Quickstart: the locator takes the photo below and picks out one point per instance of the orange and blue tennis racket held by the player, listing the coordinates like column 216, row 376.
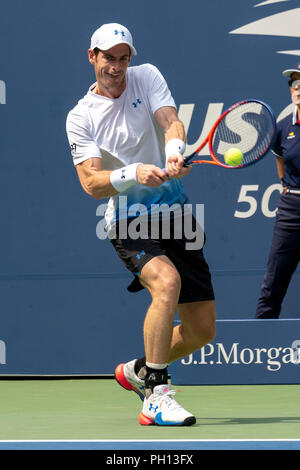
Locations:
column 248, row 126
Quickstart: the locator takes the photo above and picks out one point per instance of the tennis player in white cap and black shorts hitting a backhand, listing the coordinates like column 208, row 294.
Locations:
column 123, row 133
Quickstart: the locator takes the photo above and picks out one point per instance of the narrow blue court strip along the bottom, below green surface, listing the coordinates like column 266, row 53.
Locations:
column 218, row 444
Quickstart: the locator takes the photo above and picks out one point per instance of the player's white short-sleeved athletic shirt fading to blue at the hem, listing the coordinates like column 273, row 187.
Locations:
column 123, row 130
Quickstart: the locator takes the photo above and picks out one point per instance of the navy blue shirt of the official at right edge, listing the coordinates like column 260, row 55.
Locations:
column 287, row 146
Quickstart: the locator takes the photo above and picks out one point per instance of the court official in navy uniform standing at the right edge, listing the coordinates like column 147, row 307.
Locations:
column 285, row 248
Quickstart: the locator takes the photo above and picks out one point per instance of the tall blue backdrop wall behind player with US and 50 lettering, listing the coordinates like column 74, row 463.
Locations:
column 63, row 290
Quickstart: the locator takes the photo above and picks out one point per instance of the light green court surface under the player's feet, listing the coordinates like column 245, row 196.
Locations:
column 100, row 409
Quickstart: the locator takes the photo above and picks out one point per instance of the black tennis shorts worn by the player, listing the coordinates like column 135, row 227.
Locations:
column 179, row 247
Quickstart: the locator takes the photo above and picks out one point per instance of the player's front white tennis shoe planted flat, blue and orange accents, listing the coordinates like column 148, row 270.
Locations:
column 162, row 409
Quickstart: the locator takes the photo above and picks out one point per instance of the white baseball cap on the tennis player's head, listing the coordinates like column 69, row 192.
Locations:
column 111, row 34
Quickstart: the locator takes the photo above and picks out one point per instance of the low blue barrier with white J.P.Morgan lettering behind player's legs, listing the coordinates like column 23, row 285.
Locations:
column 245, row 352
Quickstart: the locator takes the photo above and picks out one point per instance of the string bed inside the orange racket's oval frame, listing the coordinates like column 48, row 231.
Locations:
column 248, row 127
